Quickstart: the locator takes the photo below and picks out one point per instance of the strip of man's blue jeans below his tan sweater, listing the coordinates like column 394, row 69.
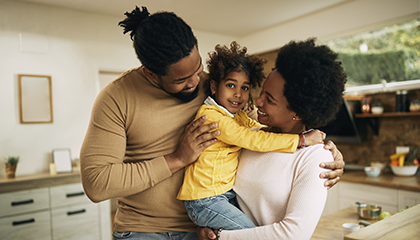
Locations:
column 155, row 236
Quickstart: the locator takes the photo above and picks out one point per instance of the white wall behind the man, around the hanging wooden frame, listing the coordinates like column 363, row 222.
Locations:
column 79, row 44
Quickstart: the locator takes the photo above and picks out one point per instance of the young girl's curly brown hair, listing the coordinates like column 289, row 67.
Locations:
column 225, row 60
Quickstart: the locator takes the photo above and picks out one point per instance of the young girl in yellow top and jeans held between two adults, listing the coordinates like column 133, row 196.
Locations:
column 207, row 187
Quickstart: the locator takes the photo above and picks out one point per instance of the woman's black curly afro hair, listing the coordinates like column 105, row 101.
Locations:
column 314, row 81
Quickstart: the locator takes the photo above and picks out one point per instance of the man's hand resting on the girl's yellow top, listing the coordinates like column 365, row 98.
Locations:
column 192, row 142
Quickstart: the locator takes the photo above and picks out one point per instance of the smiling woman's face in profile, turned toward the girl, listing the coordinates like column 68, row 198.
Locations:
column 272, row 106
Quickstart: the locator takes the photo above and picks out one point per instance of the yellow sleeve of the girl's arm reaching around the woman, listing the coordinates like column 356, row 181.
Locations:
column 234, row 134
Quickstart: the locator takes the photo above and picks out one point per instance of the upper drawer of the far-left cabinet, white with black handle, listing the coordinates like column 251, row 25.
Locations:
column 23, row 201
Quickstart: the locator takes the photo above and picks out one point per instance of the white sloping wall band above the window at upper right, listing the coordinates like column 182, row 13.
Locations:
column 341, row 20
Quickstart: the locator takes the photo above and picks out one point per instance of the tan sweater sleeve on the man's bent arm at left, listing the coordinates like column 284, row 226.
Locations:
column 106, row 171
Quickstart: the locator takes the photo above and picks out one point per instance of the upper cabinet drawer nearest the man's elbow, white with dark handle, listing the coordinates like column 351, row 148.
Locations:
column 67, row 194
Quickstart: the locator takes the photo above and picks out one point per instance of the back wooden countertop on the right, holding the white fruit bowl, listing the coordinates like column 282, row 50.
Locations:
column 388, row 180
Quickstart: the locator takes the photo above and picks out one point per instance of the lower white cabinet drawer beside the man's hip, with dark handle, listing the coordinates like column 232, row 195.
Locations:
column 80, row 221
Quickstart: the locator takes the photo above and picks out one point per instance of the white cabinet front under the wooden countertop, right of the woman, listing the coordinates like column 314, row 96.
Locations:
column 372, row 194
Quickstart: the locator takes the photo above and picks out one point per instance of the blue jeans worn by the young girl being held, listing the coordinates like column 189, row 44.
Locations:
column 217, row 212
